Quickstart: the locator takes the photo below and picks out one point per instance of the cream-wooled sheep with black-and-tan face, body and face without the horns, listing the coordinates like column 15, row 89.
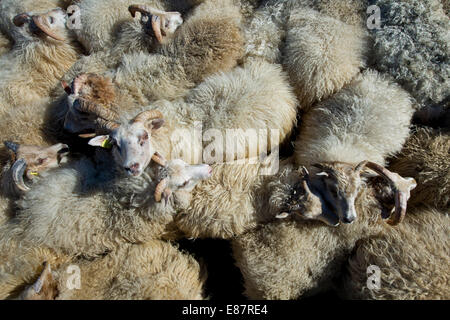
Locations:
column 356, row 124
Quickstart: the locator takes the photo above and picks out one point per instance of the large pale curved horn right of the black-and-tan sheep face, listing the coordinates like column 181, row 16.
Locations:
column 402, row 188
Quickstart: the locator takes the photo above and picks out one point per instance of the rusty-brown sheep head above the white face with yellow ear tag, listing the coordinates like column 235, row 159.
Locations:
column 91, row 105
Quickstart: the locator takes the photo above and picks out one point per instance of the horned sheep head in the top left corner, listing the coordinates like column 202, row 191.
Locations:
column 51, row 24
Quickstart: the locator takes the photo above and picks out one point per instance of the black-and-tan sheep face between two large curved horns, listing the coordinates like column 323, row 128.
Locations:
column 338, row 184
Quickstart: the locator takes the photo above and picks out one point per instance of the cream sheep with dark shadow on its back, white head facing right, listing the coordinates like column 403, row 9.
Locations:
column 105, row 208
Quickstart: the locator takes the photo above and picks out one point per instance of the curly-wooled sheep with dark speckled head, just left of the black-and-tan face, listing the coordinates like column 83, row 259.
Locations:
column 240, row 197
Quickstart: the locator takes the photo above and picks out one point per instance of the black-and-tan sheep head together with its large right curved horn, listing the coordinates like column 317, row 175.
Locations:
column 338, row 184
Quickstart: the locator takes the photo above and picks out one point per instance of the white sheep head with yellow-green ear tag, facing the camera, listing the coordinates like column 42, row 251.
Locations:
column 131, row 143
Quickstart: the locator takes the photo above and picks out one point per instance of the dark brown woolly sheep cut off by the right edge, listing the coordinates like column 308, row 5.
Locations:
column 425, row 157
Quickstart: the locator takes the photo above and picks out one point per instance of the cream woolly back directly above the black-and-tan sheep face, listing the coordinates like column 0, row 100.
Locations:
column 367, row 120
